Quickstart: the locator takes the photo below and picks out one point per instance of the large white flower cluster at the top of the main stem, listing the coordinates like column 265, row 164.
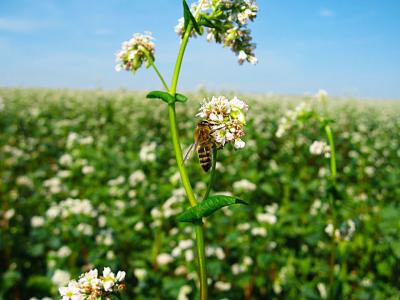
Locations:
column 230, row 19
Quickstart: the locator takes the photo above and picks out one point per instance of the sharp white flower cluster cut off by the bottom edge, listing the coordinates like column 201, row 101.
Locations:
column 91, row 286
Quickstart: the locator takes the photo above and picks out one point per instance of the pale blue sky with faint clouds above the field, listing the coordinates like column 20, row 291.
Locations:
column 348, row 47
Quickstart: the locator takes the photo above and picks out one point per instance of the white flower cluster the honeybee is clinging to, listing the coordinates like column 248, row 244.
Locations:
column 227, row 117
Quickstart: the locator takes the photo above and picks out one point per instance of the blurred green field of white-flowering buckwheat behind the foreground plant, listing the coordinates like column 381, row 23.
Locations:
column 88, row 181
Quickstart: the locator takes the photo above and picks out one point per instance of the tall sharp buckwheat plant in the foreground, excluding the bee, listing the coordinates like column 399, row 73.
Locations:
column 224, row 22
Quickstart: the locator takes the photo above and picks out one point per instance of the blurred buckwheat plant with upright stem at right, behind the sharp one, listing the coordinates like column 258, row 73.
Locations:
column 314, row 110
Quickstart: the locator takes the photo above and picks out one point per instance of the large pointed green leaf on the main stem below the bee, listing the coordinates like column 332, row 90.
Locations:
column 208, row 207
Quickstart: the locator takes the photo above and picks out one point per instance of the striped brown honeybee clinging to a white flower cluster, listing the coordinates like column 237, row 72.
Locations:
column 204, row 144
